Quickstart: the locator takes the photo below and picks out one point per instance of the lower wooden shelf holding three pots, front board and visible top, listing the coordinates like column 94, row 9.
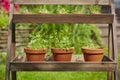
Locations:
column 77, row 64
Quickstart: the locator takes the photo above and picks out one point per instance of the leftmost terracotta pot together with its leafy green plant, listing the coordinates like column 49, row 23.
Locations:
column 36, row 49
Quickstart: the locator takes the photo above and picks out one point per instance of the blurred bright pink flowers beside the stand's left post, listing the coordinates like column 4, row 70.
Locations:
column 5, row 5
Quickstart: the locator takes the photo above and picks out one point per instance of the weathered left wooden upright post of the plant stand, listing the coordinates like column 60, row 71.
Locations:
column 11, row 41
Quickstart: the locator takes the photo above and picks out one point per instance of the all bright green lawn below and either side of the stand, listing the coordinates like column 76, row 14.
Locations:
column 54, row 75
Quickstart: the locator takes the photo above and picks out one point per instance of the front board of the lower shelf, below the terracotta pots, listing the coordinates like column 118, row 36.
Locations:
column 57, row 66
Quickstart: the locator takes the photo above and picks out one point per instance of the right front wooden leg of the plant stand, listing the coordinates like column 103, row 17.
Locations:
column 114, row 41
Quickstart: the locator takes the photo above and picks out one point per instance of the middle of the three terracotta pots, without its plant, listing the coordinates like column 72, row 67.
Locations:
column 62, row 54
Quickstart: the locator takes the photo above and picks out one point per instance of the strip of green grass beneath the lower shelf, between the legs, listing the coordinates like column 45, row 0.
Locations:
column 62, row 76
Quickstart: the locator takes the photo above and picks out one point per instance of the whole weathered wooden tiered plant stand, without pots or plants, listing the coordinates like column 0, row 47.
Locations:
column 18, row 63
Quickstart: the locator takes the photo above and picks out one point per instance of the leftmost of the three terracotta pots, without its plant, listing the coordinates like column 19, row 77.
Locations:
column 35, row 55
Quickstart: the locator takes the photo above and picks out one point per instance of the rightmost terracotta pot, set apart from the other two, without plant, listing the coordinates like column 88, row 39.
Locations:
column 93, row 54
